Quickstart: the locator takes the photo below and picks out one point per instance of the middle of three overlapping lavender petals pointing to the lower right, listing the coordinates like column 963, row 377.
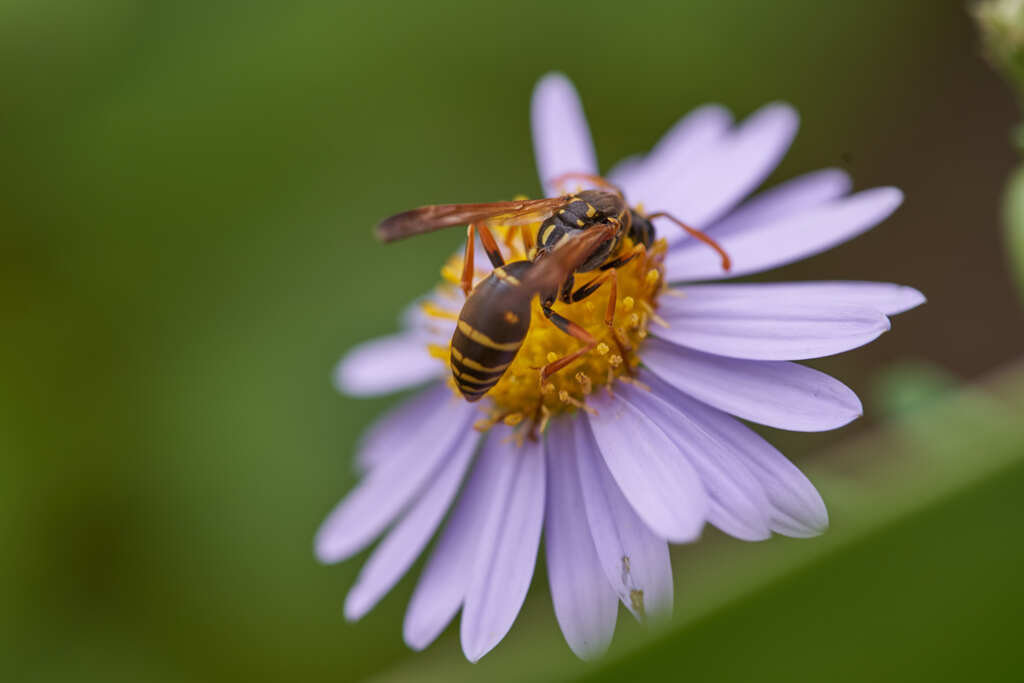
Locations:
column 738, row 502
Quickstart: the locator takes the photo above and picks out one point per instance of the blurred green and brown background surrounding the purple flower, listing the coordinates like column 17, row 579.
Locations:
column 187, row 194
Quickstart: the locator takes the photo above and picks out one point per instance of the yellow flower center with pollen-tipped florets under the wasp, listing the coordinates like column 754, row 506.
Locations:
column 520, row 397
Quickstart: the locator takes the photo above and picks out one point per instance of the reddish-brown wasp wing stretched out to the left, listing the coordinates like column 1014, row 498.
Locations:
column 429, row 219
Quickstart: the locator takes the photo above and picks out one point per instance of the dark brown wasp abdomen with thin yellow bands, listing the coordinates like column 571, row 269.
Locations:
column 492, row 327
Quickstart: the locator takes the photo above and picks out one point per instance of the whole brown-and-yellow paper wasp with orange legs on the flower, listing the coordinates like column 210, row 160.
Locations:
column 579, row 233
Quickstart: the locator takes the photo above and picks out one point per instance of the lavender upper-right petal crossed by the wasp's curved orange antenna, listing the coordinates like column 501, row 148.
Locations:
column 785, row 240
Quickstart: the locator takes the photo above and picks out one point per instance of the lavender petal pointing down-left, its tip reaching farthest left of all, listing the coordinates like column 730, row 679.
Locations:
column 381, row 496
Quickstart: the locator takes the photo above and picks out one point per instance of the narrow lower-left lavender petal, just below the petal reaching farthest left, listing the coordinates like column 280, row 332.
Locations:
column 392, row 560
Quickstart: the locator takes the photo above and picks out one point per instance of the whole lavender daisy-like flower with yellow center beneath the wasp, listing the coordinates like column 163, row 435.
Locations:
column 642, row 448
